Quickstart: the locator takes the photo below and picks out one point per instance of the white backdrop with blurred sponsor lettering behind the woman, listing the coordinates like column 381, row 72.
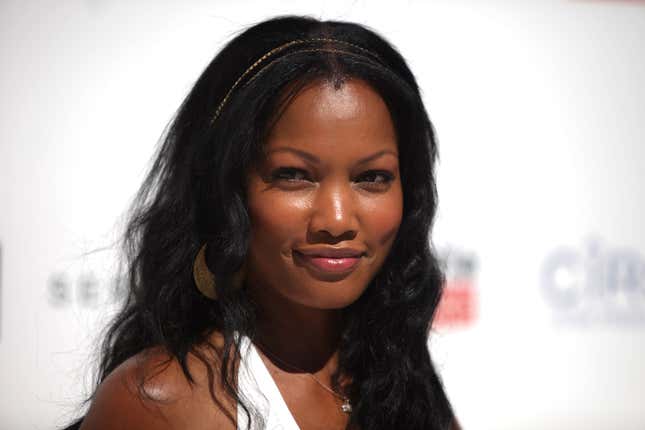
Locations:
column 540, row 112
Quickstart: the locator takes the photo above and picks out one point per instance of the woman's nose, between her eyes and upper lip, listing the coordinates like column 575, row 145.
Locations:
column 334, row 214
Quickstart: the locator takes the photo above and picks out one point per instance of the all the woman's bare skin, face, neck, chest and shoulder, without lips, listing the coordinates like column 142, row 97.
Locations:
column 330, row 178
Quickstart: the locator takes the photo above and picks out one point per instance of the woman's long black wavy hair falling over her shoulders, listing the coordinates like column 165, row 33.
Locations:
column 194, row 194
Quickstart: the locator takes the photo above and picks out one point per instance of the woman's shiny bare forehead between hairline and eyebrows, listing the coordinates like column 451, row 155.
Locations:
column 347, row 120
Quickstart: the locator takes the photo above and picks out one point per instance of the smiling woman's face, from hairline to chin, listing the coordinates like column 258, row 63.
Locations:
column 326, row 203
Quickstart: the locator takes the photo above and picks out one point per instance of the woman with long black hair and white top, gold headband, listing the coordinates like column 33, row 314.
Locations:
column 280, row 274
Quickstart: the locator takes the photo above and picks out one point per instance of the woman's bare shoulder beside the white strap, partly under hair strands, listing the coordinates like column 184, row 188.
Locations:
column 151, row 391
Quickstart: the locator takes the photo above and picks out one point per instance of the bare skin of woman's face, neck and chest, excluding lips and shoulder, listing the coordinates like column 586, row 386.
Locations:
column 331, row 178
